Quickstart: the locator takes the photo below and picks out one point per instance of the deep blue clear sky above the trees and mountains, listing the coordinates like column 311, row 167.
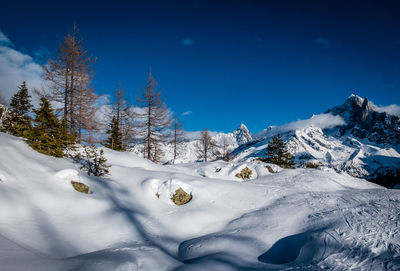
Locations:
column 220, row 63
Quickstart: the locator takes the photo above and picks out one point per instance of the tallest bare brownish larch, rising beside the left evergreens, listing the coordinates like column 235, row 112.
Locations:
column 69, row 75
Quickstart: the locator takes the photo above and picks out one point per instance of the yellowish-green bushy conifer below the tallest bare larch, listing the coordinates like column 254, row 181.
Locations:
column 44, row 136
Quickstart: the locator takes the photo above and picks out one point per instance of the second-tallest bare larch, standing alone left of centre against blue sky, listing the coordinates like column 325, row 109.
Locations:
column 153, row 120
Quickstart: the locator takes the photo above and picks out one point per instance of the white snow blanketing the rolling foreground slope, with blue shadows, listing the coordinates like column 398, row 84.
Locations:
column 293, row 219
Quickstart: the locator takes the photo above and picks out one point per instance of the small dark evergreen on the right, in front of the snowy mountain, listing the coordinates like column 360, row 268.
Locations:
column 277, row 153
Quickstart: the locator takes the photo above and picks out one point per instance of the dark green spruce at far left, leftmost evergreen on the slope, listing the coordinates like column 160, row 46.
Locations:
column 18, row 121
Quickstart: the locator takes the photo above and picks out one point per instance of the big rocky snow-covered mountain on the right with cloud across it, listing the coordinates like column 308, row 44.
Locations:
column 352, row 137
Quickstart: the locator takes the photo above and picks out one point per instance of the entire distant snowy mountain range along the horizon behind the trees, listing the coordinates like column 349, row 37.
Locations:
column 354, row 138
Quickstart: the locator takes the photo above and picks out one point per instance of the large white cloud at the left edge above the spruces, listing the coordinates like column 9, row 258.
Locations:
column 16, row 67
